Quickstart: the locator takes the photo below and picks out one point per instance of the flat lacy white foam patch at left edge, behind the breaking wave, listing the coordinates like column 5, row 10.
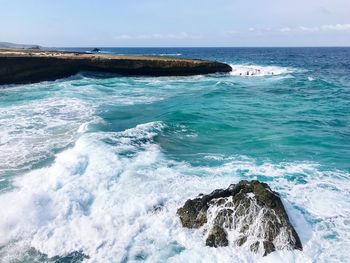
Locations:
column 32, row 130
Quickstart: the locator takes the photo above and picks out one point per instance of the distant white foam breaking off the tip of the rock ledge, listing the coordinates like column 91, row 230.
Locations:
column 258, row 71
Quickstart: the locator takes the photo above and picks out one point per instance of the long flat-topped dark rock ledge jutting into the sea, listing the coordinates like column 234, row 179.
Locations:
column 27, row 66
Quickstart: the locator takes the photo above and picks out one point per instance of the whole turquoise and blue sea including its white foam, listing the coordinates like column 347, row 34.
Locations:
column 84, row 161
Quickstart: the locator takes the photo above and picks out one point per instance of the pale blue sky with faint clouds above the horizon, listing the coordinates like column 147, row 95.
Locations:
column 176, row 23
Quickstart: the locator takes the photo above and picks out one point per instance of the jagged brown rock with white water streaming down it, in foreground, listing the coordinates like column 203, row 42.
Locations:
column 249, row 210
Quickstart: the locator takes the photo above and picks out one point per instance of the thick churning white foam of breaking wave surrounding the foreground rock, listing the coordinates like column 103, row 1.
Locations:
column 115, row 195
